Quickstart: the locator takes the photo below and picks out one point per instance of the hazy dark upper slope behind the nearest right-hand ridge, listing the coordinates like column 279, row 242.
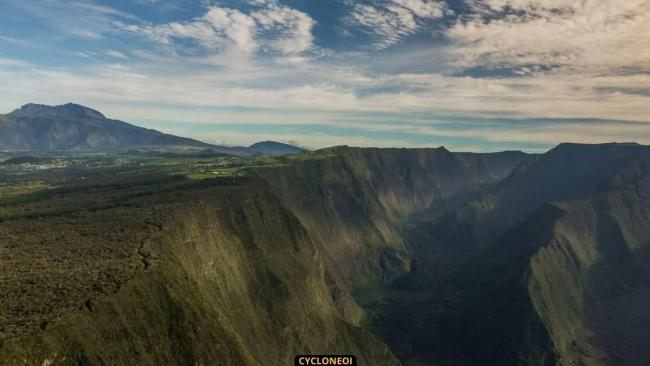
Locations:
column 567, row 172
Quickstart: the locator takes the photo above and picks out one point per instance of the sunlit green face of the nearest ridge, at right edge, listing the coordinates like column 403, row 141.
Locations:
column 591, row 283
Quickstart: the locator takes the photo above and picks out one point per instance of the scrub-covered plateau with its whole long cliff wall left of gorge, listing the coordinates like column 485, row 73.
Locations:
column 232, row 272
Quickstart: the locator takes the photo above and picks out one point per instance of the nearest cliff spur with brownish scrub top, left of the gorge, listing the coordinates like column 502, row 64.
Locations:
column 221, row 274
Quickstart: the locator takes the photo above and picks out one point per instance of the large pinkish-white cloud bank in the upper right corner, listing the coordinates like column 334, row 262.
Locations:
column 584, row 36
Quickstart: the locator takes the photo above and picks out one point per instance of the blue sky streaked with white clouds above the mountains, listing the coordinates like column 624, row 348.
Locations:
column 471, row 75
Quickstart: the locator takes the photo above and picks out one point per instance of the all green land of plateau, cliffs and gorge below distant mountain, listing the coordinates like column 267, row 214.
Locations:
column 421, row 255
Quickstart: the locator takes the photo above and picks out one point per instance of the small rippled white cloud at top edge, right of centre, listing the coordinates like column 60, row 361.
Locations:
column 391, row 20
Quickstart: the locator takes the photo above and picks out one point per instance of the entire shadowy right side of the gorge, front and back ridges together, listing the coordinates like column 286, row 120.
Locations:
column 553, row 261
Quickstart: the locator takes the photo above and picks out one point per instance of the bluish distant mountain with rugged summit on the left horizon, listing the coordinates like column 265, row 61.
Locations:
column 36, row 127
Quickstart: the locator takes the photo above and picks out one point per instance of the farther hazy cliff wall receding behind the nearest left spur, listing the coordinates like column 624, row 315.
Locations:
column 356, row 202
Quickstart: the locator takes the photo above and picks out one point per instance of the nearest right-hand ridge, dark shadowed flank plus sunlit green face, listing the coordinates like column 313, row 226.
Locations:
column 579, row 268
